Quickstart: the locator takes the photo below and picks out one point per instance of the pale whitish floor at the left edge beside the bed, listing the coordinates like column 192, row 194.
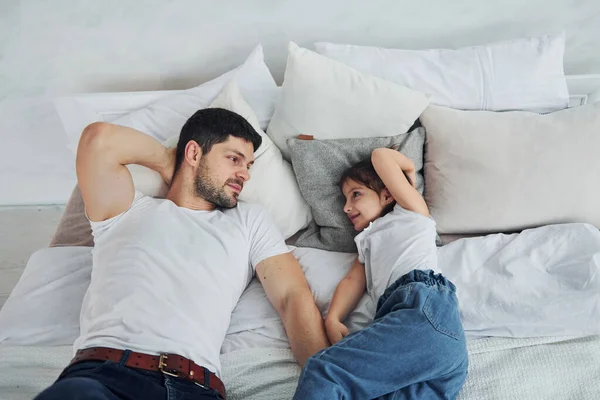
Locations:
column 23, row 230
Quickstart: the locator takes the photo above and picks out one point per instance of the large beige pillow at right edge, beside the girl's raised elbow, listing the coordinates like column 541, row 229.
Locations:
column 497, row 172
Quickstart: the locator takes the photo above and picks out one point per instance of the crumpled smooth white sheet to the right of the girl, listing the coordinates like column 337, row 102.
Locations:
column 540, row 282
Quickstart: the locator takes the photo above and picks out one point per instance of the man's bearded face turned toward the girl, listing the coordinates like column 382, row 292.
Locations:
column 223, row 171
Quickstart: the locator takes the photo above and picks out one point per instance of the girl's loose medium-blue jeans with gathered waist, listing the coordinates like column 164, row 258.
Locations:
column 414, row 349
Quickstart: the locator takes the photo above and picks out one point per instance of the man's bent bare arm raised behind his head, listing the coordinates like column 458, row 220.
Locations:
column 104, row 151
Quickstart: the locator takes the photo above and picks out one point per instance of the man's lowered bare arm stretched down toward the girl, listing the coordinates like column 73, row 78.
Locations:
column 288, row 291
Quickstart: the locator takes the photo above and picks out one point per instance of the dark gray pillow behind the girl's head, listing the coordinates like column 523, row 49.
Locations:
column 319, row 164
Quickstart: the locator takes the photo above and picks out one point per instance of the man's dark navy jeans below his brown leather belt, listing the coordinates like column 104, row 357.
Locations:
column 107, row 380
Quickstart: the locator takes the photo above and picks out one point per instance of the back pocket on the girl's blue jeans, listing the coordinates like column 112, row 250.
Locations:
column 441, row 309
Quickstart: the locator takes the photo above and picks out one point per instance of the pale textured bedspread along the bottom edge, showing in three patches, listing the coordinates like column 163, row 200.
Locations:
column 542, row 368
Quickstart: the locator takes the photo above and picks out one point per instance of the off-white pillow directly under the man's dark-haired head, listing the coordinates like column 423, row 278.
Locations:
column 272, row 184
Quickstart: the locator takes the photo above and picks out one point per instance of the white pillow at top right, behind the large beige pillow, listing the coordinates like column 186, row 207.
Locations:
column 524, row 74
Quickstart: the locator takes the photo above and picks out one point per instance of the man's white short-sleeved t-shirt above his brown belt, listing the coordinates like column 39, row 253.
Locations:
column 165, row 279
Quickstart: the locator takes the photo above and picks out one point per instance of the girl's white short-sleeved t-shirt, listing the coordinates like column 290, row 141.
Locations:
column 394, row 245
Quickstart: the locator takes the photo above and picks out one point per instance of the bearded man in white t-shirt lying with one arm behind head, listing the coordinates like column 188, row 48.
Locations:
column 168, row 273
